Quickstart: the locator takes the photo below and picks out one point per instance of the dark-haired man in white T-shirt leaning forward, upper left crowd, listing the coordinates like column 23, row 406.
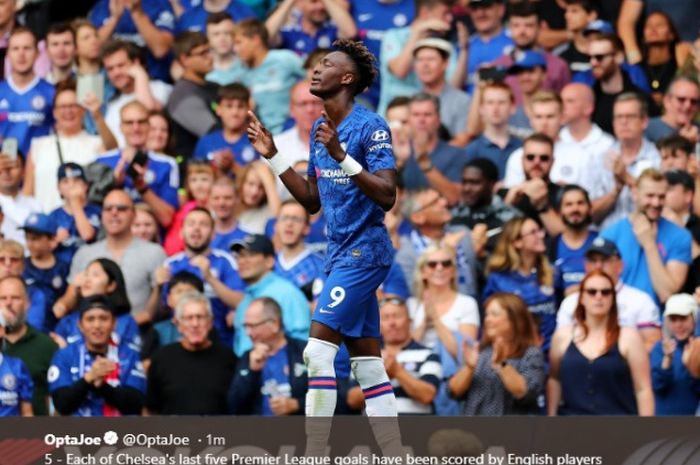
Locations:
column 131, row 81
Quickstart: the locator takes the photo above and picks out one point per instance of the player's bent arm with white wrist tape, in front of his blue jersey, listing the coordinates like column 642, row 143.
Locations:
column 379, row 186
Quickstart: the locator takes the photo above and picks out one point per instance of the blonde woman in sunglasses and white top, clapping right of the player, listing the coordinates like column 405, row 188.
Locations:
column 438, row 310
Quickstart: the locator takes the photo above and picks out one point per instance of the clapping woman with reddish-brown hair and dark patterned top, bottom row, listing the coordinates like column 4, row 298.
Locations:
column 504, row 373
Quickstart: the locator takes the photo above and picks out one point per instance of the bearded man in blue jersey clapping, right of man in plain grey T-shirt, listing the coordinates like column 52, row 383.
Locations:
column 222, row 284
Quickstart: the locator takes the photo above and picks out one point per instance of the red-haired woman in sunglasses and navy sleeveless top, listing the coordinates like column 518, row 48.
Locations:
column 596, row 366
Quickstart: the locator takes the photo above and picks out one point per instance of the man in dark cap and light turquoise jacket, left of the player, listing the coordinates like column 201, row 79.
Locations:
column 256, row 259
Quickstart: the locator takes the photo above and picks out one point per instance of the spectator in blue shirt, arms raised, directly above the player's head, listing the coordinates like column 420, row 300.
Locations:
column 304, row 25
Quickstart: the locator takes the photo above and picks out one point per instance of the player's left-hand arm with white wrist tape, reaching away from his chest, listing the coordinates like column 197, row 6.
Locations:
column 305, row 191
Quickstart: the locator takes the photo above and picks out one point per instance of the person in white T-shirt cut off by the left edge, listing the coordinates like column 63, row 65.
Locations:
column 16, row 207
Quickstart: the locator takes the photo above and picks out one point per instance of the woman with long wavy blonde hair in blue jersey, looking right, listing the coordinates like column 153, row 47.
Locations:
column 519, row 264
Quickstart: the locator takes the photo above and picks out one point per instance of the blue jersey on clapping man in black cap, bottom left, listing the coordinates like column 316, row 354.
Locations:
column 72, row 362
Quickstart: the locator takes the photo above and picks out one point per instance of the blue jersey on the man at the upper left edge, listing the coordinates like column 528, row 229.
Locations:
column 26, row 113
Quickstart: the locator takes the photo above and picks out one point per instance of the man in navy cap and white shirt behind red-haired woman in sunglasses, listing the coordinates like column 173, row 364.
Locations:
column 635, row 309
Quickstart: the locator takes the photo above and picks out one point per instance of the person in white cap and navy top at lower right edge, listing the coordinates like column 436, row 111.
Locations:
column 676, row 391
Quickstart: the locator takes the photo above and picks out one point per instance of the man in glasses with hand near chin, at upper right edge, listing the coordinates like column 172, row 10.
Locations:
column 681, row 104
